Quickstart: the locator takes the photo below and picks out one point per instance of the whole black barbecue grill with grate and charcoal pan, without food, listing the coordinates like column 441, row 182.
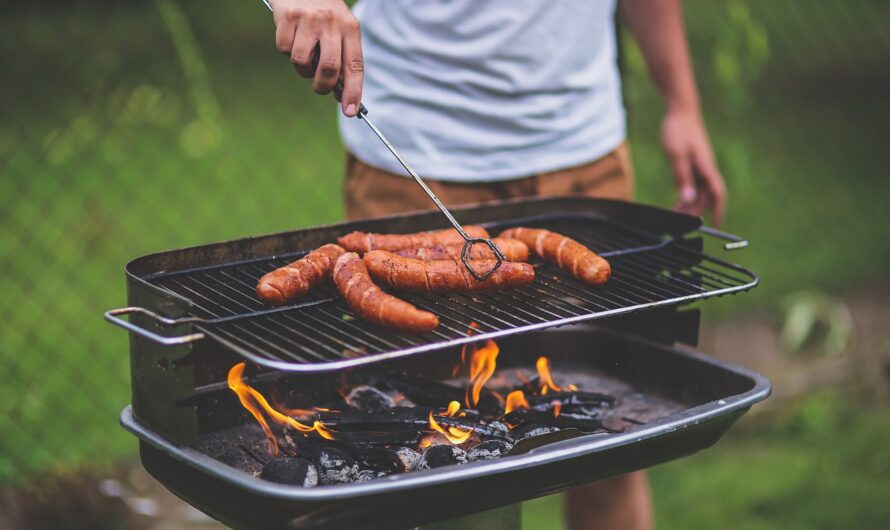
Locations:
column 194, row 313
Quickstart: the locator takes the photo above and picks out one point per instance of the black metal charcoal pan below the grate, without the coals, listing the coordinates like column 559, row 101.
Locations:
column 713, row 394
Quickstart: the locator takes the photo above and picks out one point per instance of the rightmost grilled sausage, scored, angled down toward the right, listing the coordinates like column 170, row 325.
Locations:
column 568, row 254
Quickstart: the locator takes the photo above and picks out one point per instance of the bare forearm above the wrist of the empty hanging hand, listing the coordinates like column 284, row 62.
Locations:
column 658, row 28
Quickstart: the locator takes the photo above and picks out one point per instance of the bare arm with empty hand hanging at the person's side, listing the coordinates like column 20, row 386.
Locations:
column 658, row 28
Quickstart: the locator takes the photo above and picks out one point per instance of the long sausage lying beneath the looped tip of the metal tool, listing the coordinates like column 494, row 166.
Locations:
column 444, row 275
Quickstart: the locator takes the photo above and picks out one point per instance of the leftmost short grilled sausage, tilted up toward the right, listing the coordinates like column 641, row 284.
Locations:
column 295, row 279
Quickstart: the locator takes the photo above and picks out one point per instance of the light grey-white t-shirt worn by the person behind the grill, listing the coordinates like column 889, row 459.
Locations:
column 487, row 90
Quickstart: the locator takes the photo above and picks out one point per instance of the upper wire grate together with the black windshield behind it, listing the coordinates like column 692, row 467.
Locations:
column 653, row 265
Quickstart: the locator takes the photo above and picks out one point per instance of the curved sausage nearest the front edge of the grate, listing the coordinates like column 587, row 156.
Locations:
column 370, row 303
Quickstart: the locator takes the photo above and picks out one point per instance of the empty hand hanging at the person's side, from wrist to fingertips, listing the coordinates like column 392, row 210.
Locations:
column 700, row 187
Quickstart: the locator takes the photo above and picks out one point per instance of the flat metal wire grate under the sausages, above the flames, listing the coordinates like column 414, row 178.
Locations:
column 319, row 332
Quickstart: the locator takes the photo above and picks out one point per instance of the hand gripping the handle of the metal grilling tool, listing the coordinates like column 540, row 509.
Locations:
column 303, row 24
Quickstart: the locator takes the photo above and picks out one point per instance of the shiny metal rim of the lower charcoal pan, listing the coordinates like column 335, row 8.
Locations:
column 551, row 453
